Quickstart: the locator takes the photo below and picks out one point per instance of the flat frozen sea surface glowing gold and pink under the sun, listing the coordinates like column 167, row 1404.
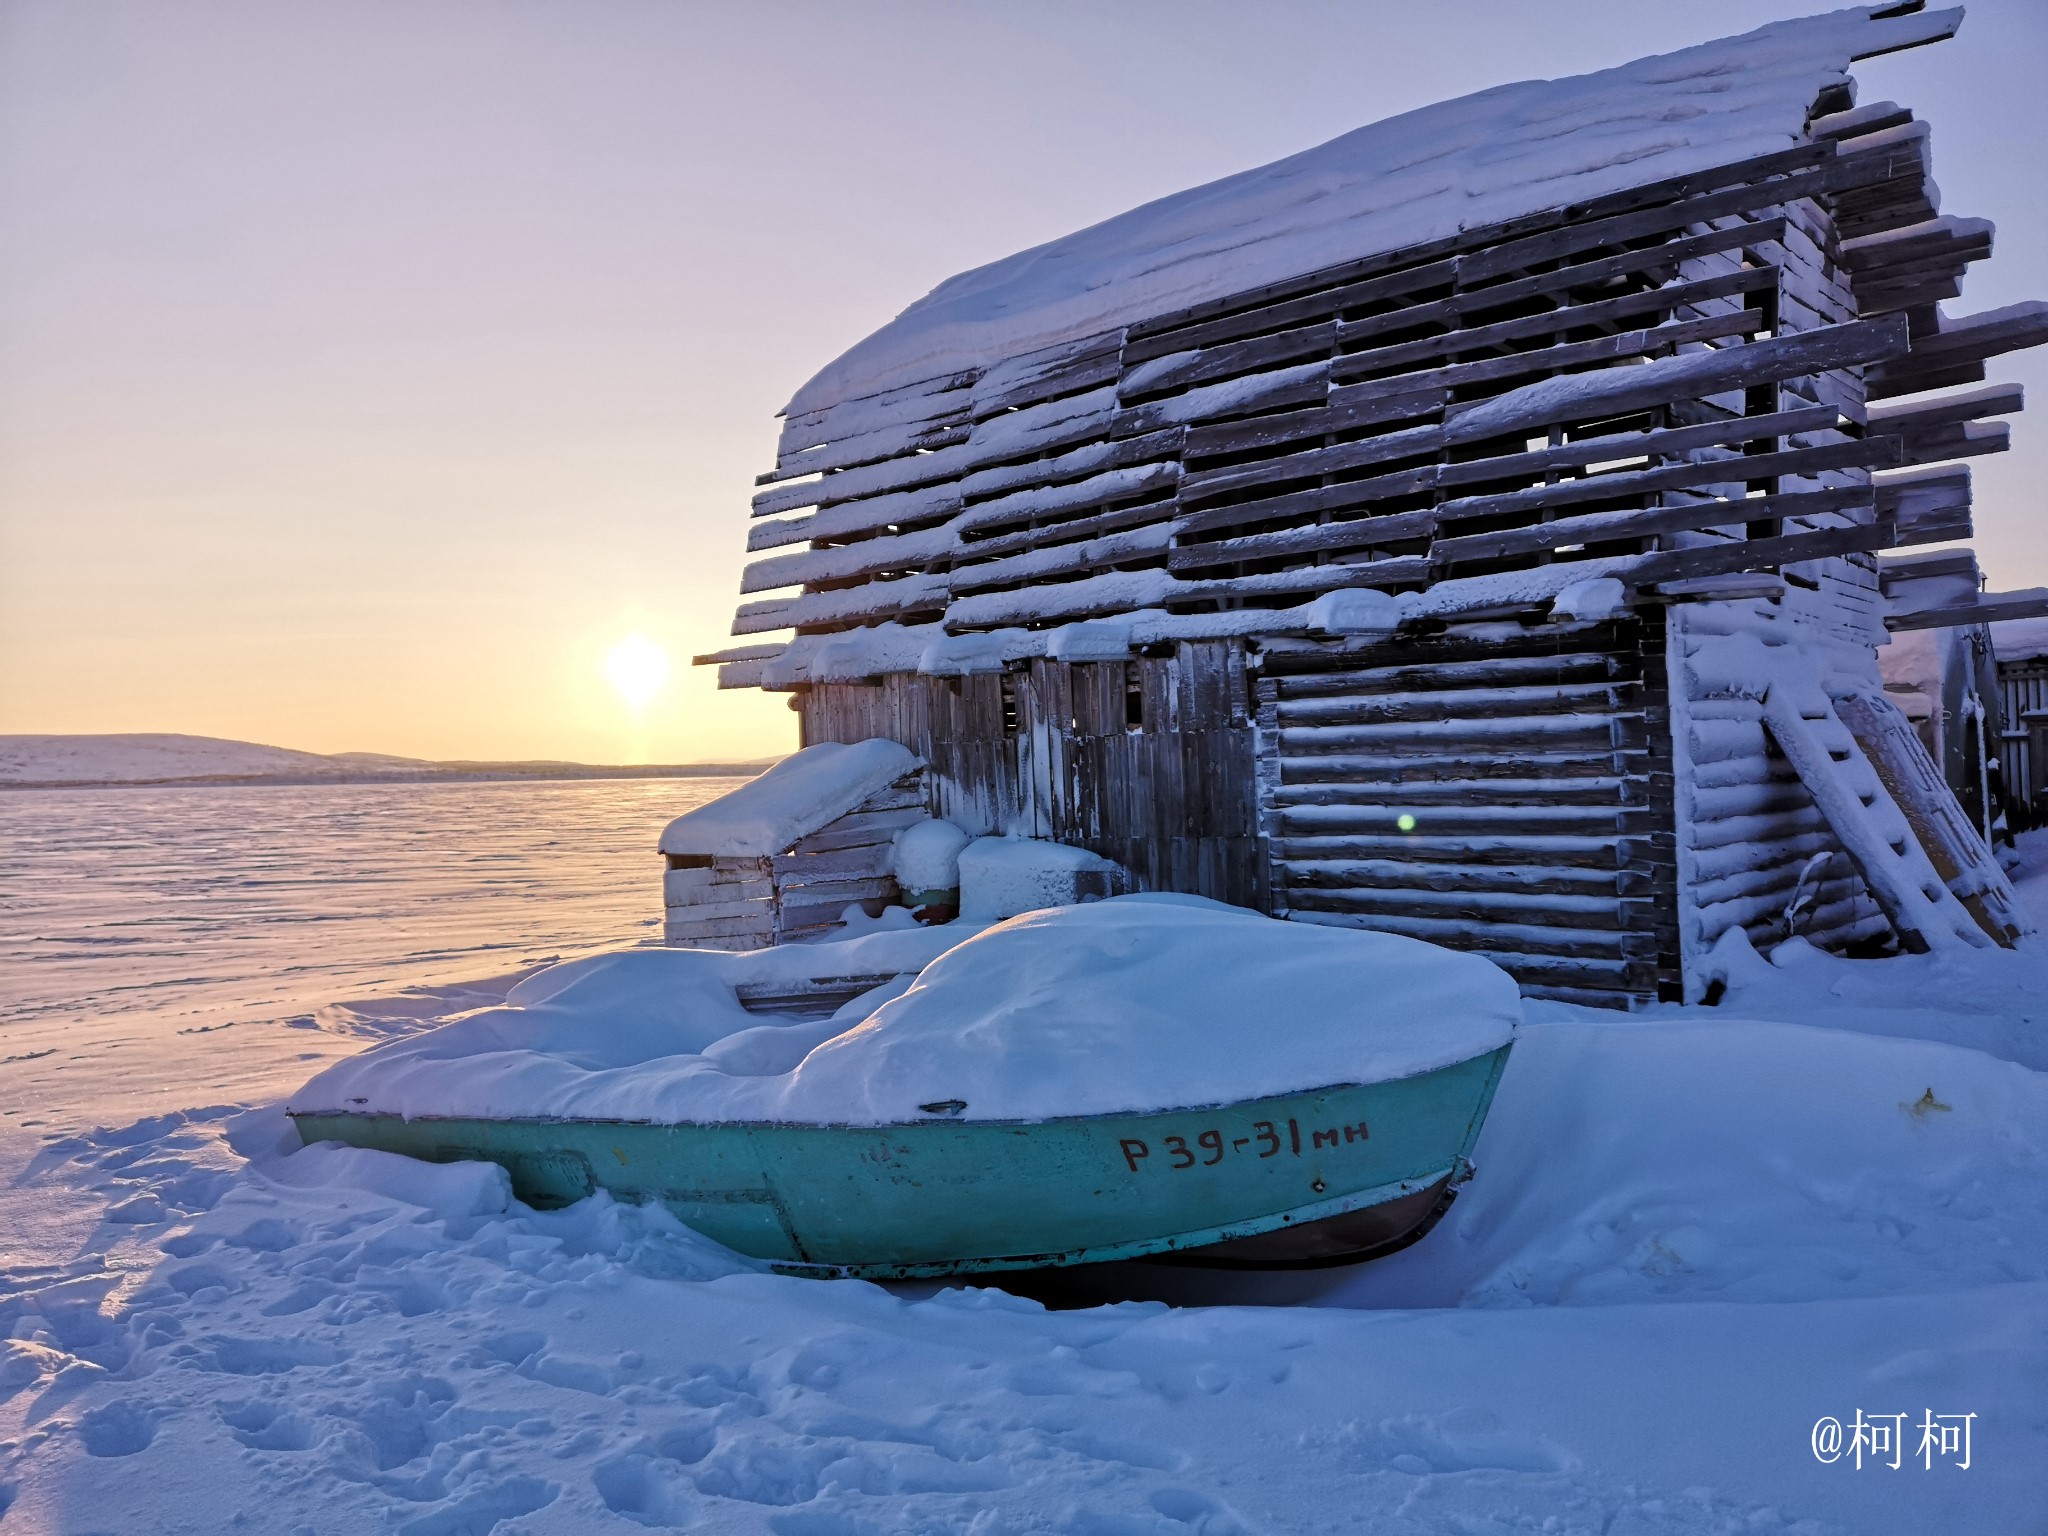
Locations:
column 210, row 906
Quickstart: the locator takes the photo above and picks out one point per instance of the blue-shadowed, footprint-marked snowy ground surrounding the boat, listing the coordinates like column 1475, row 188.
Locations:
column 1695, row 1234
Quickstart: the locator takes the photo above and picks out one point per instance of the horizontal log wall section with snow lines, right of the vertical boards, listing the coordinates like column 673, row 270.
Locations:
column 1496, row 790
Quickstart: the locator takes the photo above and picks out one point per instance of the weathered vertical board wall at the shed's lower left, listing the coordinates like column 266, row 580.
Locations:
column 1146, row 763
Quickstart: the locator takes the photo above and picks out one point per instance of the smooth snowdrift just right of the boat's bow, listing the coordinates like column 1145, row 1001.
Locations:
column 1738, row 1160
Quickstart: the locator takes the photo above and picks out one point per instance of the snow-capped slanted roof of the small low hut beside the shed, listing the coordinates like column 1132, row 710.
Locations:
column 790, row 802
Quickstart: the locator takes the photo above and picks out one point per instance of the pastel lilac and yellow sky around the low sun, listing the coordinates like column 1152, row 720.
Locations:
column 370, row 372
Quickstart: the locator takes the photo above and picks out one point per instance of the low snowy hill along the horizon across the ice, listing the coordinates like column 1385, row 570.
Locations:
column 157, row 759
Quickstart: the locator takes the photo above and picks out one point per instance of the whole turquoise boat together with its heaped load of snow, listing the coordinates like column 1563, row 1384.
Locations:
column 1146, row 1076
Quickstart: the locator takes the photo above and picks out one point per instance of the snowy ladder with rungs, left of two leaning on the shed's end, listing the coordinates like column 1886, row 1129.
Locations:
column 1863, row 814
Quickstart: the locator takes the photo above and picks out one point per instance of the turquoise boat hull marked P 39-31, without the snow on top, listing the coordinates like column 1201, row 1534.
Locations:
column 1324, row 1177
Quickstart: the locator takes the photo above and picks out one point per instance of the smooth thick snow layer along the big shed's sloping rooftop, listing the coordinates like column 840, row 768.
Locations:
column 1469, row 163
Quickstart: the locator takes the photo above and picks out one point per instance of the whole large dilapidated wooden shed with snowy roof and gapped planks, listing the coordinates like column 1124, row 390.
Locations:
column 1467, row 527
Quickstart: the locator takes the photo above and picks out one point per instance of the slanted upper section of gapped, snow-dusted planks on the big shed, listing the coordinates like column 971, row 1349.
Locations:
column 1392, row 425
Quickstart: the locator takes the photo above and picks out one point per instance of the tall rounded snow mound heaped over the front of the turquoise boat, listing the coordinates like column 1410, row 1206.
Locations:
column 1156, row 1002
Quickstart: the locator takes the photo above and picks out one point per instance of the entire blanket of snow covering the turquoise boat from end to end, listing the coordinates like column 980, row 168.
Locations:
column 1119, row 1007
